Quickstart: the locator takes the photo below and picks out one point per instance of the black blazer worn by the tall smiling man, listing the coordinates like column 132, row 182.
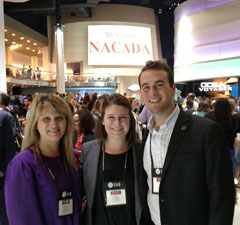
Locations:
column 197, row 183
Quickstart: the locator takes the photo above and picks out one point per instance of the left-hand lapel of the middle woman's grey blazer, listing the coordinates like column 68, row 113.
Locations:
column 94, row 155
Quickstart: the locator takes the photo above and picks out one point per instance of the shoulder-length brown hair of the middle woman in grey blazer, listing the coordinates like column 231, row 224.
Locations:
column 117, row 99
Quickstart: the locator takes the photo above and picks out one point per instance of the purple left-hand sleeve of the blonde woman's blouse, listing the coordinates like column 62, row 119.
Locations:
column 22, row 200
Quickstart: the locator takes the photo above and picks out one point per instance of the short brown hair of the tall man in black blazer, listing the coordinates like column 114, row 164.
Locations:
column 157, row 65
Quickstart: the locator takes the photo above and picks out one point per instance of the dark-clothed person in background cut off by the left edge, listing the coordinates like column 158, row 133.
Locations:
column 7, row 152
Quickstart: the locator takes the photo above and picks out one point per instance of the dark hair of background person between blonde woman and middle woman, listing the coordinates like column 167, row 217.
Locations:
column 87, row 122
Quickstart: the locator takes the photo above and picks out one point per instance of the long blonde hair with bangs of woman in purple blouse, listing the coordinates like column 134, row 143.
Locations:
column 31, row 135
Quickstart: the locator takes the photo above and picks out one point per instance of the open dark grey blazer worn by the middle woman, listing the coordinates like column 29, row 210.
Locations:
column 90, row 157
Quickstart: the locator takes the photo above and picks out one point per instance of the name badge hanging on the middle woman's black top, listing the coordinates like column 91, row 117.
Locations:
column 115, row 193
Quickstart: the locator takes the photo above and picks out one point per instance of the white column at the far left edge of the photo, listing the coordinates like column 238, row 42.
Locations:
column 3, row 79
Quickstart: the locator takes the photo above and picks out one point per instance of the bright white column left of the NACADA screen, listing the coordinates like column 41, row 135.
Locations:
column 59, row 59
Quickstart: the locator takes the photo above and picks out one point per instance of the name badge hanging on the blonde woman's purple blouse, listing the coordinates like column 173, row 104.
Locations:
column 65, row 203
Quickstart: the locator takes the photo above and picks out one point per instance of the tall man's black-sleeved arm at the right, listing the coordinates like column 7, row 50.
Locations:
column 219, row 177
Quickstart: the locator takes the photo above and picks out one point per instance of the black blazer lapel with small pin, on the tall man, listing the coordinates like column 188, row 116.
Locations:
column 181, row 127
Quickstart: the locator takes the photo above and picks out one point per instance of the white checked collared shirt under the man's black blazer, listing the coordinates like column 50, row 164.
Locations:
column 159, row 146
